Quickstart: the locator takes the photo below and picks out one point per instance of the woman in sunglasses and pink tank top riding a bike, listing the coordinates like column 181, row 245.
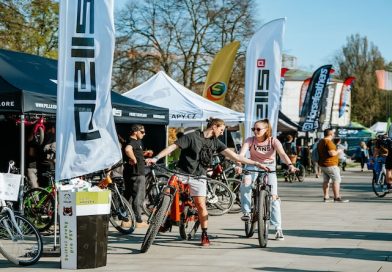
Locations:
column 262, row 148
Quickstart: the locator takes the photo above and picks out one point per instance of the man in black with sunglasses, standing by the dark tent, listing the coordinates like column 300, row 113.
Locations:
column 134, row 179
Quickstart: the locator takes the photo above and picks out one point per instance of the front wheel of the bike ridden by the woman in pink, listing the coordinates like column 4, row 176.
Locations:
column 263, row 218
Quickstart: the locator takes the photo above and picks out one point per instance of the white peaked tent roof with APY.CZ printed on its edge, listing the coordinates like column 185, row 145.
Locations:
column 186, row 108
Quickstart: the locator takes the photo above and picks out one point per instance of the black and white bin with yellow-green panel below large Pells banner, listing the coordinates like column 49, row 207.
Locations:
column 84, row 219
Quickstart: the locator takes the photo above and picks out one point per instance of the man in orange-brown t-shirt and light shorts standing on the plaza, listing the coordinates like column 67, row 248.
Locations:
column 328, row 161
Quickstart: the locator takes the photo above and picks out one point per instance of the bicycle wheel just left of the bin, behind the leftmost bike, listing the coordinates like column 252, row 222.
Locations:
column 39, row 207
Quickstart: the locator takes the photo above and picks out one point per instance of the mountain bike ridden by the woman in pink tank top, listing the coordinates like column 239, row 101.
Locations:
column 261, row 207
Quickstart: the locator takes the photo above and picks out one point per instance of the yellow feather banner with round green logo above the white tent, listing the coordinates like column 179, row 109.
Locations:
column 218, row 76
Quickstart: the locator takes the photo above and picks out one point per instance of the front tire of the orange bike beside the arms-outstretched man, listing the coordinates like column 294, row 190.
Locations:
column 156, row 222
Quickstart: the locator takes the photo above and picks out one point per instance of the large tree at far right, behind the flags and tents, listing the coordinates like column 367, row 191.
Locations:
column 361, row 59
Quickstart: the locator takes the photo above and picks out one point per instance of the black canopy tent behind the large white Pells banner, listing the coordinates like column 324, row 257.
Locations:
column 28, row 86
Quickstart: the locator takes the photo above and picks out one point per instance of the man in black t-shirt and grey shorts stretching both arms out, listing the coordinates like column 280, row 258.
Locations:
column 197, row 149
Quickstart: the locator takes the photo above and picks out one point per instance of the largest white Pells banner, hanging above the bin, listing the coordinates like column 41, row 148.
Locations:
column 86, row 137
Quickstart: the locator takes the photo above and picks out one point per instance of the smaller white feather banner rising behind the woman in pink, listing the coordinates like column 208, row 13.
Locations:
column 262, row 75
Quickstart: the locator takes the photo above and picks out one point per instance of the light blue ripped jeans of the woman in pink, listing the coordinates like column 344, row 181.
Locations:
column 246, row 195
